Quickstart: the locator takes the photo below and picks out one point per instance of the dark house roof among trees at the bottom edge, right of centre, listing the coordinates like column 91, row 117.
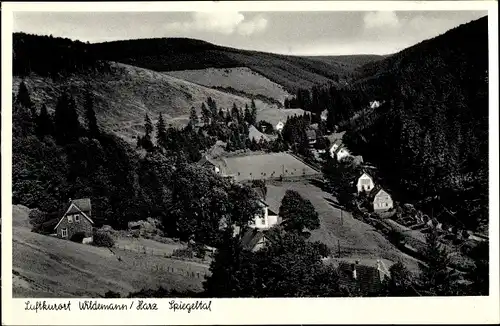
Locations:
column 367, row 280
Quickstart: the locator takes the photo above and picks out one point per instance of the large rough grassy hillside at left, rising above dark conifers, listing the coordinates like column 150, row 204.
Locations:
column 124, row 96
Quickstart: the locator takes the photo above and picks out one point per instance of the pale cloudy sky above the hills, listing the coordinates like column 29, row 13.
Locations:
column 299, row 33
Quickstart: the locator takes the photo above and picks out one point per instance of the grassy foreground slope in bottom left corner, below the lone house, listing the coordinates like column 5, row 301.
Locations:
column 49, row 267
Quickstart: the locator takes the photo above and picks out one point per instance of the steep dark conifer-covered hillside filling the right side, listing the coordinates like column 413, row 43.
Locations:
column 429, row 138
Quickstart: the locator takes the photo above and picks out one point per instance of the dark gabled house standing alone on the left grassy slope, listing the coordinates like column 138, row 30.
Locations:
column 76, row 220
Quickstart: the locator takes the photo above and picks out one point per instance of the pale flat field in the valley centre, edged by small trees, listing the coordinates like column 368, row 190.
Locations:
column 264, row 166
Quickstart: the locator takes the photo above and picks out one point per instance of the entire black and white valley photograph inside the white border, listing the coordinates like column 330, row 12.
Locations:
column 250, row 154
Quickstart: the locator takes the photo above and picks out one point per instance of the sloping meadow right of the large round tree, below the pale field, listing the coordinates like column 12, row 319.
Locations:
column 357, row 240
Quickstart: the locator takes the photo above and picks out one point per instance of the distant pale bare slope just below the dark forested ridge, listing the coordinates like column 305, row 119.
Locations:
column 241, row 79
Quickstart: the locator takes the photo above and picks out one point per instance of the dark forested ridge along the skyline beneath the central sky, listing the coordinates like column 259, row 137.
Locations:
column 173, row 54
